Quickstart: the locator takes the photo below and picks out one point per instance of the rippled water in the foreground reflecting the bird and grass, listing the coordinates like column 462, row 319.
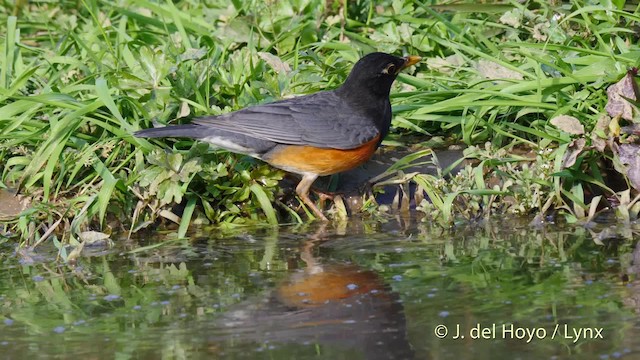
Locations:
column 361, row 290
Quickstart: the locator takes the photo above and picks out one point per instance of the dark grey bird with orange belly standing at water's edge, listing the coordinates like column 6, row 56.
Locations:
column 313, row 135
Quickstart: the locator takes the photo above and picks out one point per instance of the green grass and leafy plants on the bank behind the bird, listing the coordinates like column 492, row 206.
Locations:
column 77, row 78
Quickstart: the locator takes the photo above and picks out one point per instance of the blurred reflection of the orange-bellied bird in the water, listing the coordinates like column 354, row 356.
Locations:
column 338, row 307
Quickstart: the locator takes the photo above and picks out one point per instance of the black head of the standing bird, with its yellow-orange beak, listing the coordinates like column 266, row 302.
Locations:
column 374, row 73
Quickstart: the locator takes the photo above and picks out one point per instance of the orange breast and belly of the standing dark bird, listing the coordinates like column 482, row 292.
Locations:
column 301, row 159
